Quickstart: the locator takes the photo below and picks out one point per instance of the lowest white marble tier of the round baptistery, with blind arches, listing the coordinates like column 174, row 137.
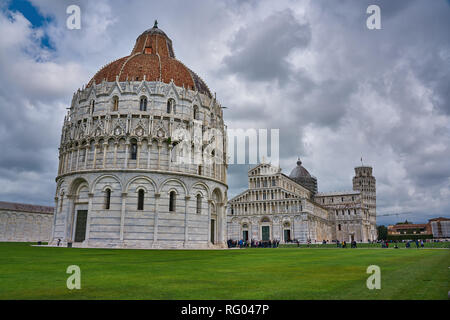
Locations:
column 123, row 225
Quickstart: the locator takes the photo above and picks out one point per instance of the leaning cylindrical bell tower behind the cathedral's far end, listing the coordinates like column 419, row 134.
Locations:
column 365, row 182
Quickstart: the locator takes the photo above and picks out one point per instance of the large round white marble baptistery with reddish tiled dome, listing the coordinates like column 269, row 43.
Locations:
column 142, row 157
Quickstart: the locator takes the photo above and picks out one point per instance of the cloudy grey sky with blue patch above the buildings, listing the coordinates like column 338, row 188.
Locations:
column 336, row 90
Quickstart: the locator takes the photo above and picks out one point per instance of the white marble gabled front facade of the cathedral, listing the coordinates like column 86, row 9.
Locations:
column 276, row 208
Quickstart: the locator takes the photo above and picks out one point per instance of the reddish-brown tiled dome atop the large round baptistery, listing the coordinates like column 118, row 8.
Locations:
column 152, row 59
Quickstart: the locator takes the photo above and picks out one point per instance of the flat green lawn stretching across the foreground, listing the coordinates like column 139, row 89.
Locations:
column 284, row 273
